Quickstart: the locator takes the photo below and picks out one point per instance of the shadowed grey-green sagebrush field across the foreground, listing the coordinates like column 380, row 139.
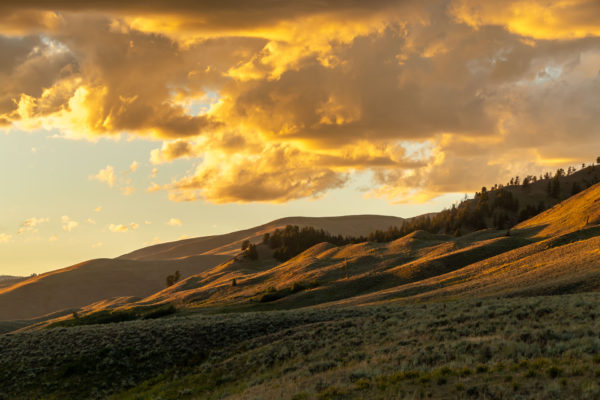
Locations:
column 534, row 347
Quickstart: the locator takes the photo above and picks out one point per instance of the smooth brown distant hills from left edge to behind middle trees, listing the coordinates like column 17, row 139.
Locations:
column 144, row 272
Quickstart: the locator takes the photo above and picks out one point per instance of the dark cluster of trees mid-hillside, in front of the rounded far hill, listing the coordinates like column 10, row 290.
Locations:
column 293, row 240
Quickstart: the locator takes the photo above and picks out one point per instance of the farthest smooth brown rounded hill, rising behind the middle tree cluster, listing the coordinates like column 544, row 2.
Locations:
column 352, row 225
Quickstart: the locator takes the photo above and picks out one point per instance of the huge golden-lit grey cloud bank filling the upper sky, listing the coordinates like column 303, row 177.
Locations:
column 276, row 101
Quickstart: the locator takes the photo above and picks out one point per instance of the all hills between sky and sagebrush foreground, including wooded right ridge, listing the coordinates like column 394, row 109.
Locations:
column 455, row 252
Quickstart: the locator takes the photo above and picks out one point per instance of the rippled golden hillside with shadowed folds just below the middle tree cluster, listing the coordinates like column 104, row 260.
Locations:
column 326, row 272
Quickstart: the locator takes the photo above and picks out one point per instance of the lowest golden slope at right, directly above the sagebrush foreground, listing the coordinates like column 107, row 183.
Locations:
column 563, row 264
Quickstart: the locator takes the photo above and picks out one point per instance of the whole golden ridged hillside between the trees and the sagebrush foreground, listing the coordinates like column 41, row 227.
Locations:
column 423, row 265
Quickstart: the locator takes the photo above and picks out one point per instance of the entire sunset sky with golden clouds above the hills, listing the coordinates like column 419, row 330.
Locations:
column 128, row 123
